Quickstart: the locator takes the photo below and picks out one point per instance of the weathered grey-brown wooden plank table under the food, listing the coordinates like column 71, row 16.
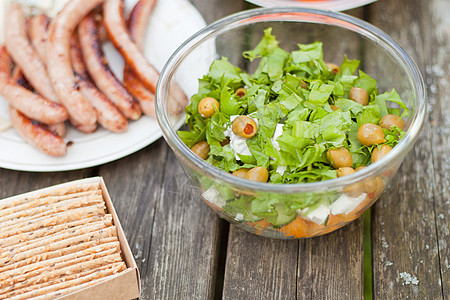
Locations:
column 184, row 251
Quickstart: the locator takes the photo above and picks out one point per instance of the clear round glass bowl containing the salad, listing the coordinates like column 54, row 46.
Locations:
column 320, row 207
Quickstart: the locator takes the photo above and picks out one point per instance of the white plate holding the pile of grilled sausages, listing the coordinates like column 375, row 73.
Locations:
column 172, row 22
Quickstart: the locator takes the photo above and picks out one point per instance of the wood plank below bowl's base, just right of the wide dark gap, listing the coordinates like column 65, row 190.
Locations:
column 259, row 268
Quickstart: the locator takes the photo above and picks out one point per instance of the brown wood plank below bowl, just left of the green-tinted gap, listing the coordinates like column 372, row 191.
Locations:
column 331, row 266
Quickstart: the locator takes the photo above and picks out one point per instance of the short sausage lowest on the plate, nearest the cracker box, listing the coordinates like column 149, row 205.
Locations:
column 36, row 134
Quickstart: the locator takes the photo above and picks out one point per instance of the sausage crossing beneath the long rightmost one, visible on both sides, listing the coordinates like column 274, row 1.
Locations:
column 137, row 27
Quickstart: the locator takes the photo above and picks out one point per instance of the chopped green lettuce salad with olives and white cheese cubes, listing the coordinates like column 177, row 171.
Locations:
column 296, row 119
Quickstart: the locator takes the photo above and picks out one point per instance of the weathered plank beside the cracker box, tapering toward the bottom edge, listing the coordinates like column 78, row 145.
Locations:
column 134, row 184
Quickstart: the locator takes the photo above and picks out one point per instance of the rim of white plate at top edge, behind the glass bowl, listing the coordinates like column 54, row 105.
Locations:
column 334, row 5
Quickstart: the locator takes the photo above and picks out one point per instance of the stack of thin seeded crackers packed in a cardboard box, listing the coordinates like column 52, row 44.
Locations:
column 57, row 242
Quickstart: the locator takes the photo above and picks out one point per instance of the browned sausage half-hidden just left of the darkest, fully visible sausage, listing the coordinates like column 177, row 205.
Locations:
column 108, row 114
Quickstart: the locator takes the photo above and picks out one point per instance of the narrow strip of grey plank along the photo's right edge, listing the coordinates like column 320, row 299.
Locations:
column 437, row 72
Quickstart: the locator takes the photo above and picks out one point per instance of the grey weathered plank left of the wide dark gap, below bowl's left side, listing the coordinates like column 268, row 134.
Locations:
column 184, row 241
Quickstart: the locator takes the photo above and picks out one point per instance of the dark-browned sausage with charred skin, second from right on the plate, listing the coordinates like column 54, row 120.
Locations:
column 100, row 72
